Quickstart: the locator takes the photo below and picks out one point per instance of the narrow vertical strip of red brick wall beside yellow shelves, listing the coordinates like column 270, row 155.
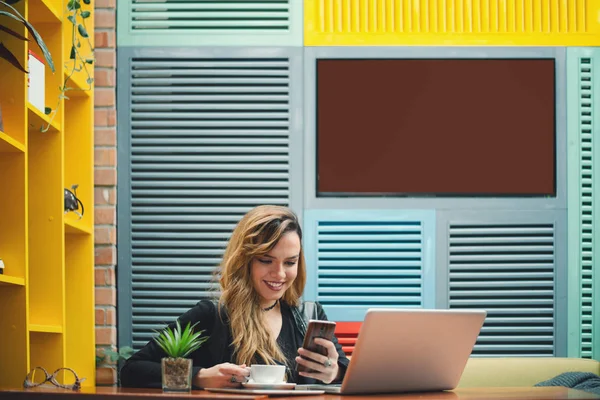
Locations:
column 105, row 181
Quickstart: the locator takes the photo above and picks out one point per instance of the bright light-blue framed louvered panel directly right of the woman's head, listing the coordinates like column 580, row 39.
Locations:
column 360, row 259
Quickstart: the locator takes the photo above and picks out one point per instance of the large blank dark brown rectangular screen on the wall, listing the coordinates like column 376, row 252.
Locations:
column 446, row 127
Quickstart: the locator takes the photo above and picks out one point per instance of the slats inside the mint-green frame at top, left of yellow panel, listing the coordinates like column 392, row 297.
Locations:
column 202, row 16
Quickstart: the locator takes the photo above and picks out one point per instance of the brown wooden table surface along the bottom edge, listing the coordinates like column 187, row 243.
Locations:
column 111, row 393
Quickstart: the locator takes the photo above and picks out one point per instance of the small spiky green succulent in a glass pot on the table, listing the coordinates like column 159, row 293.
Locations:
column 176, row 368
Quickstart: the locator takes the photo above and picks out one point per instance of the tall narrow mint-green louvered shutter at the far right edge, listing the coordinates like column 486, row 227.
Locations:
column 583, row 107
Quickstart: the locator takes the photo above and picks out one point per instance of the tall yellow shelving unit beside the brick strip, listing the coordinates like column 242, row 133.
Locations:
column 47, row 289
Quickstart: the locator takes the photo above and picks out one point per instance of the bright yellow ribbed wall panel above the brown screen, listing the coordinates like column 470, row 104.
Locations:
column 452, row 22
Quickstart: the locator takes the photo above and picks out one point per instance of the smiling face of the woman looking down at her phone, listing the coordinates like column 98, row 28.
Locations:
column 274, row 272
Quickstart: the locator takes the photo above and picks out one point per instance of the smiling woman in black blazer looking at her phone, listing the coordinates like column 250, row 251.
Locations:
column 255, row 320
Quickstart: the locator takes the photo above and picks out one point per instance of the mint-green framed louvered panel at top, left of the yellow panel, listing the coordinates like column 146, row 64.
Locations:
column 209, row 22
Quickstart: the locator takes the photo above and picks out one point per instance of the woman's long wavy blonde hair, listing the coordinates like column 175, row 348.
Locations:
column 257, row 233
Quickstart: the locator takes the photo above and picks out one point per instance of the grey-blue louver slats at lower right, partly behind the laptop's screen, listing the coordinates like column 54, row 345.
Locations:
column 508, row 270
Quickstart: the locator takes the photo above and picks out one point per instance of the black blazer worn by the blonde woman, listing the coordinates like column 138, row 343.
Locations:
column 143, row 369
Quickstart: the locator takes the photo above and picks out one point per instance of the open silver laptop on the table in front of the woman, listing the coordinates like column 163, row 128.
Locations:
column 409, row 350
